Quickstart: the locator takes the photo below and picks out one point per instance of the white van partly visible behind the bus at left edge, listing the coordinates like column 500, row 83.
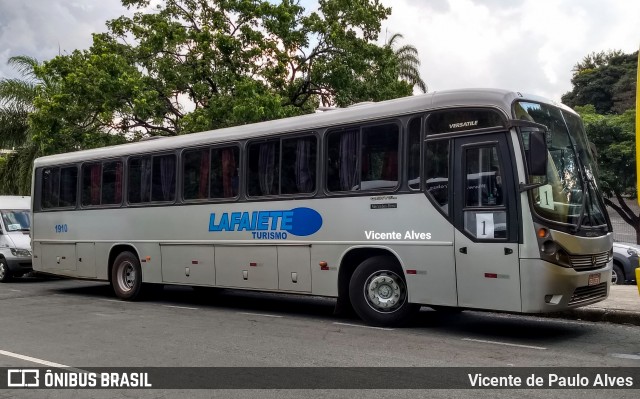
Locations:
column 15, row 242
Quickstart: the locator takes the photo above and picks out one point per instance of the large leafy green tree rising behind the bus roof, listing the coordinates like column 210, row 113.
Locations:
column 192, row 65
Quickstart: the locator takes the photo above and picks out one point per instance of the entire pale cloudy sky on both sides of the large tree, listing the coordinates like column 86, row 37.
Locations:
column 524, row 45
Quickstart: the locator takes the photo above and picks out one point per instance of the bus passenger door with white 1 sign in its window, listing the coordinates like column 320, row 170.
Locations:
column 486, row 222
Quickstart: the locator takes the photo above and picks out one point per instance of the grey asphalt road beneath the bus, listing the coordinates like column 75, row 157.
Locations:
column 81, row 324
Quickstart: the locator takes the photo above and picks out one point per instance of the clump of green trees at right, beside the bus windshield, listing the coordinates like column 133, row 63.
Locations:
column 604, row 94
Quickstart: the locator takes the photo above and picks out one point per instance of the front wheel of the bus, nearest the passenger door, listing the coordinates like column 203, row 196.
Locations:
column 378, row 292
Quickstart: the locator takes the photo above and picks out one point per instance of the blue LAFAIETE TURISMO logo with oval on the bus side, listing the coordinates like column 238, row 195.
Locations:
column 269, row 225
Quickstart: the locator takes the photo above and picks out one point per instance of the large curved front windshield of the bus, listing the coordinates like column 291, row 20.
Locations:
column 571, row 189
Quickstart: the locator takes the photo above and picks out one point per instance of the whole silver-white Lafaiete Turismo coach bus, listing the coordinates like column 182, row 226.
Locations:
column 484, row 199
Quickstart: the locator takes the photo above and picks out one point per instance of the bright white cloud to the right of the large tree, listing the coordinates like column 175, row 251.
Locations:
column 525, row 45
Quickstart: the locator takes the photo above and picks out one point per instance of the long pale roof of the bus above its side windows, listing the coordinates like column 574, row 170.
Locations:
column 501, row 99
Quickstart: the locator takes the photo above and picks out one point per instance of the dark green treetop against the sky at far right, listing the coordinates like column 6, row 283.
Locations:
column 606, row 81
